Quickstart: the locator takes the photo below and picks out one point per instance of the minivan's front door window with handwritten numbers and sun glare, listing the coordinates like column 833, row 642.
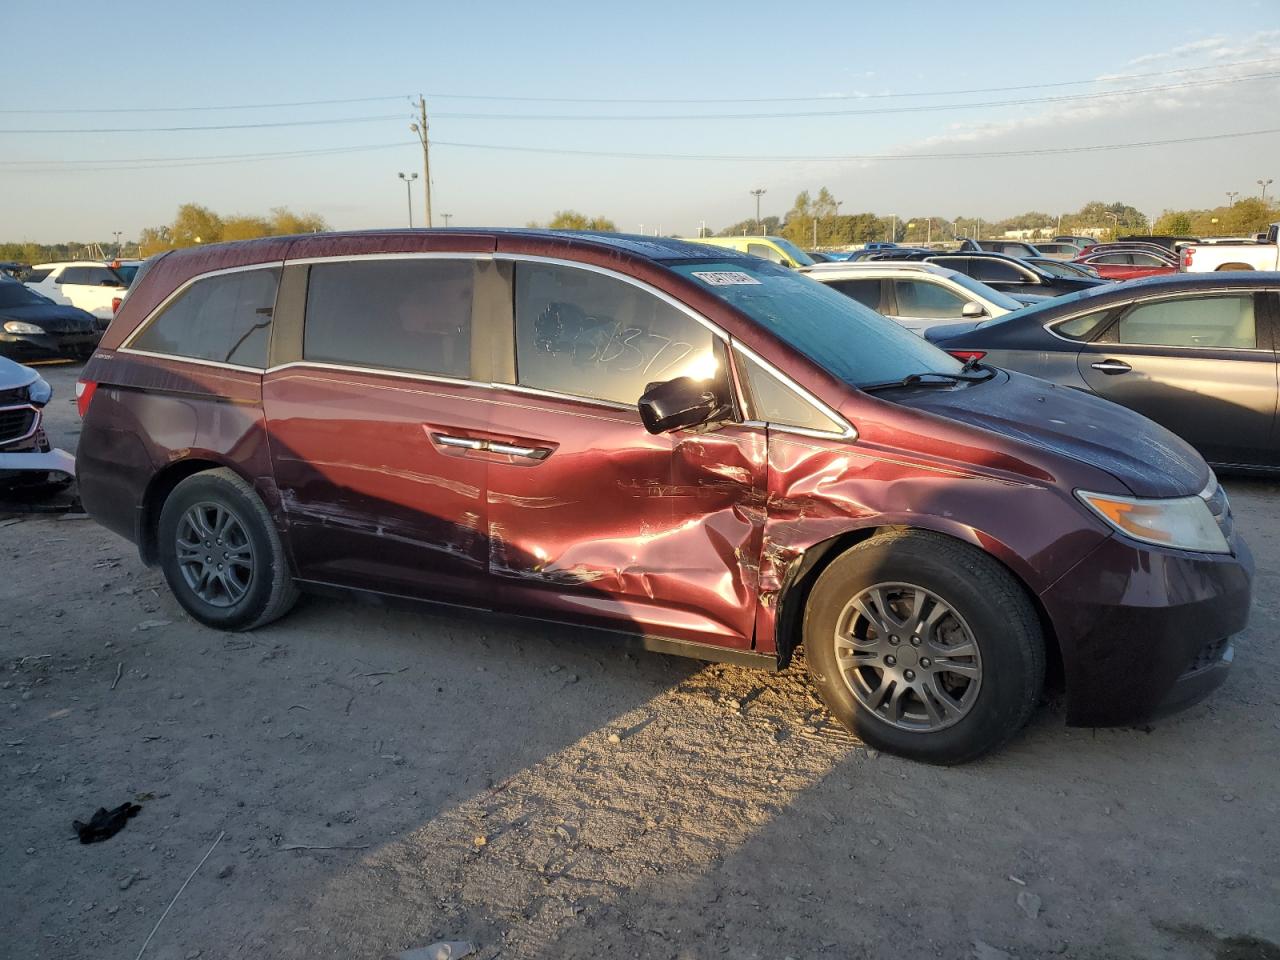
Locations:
column 587, row 335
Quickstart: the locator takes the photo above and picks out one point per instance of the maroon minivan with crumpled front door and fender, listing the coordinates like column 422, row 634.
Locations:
column 689, row 446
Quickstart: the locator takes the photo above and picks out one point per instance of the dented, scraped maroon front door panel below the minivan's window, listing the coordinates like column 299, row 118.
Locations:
column 657, row 536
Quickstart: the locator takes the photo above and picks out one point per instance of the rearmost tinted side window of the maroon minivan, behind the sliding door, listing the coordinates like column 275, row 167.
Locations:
column 225, row 319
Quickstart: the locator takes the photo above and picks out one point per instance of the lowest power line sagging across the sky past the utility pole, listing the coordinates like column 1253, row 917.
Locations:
column 161, row 163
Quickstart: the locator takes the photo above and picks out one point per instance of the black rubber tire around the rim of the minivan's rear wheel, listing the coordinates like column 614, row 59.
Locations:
column 268, row 587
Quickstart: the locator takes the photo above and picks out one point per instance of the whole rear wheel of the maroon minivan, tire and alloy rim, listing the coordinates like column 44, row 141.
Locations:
column 222, row 555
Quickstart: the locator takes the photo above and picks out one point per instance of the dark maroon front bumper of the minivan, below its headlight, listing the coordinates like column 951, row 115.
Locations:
column 1145, row 632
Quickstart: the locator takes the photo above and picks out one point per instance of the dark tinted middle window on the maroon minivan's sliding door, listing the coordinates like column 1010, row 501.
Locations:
column 409, row 314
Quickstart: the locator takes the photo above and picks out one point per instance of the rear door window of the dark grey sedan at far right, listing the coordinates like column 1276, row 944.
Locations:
column 1199, row 322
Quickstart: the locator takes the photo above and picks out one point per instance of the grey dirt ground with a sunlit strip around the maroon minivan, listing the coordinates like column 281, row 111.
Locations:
column 383, row 779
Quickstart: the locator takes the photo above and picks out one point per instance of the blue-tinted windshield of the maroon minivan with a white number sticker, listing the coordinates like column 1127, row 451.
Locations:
column 838, row 333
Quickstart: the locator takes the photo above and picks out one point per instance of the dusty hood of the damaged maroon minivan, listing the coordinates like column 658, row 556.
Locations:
column 1144, row 456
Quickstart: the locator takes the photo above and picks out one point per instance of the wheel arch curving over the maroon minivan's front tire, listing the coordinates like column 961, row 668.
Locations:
column 820, row 556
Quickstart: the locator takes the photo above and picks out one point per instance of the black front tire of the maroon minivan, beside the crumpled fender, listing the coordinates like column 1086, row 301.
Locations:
column 988, row 607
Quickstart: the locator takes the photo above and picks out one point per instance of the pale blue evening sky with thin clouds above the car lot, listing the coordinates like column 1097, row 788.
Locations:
column 515, row 89
